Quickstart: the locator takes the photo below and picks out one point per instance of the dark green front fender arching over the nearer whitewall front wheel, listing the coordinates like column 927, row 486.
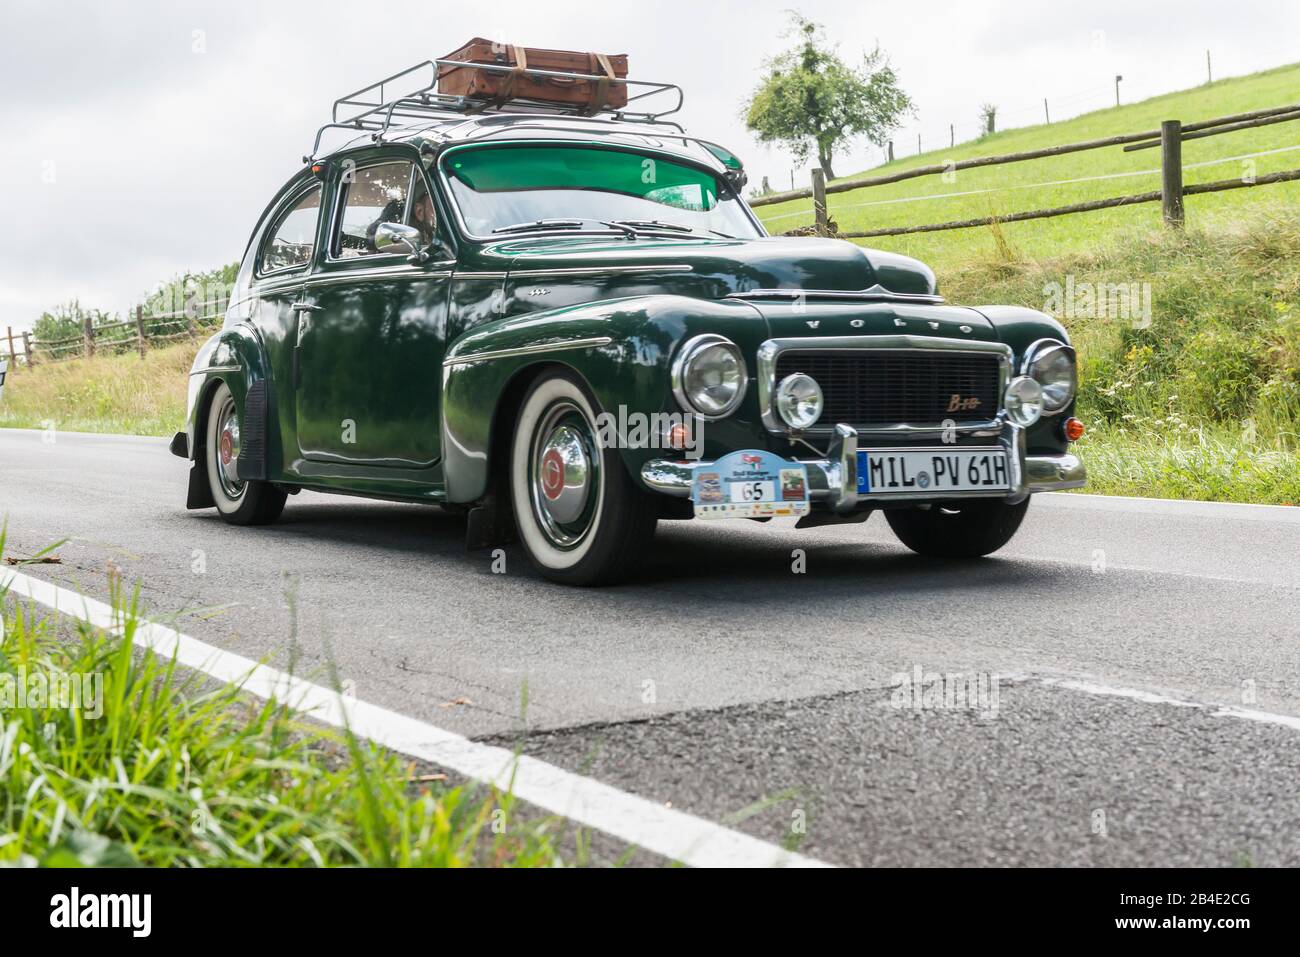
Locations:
column 622, row 350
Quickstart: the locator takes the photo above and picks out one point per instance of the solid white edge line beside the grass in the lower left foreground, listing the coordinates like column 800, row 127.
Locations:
column 644, row 824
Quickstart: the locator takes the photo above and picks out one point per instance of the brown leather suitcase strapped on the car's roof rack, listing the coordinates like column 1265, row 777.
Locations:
column 499, row 86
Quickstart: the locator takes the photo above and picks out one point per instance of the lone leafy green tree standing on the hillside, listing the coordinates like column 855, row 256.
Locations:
column 813, row 102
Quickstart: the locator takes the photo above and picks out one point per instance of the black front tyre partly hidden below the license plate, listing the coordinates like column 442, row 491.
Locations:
column 957, row 530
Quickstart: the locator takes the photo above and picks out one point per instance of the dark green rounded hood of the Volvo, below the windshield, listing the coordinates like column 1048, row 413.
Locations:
column 729, row 266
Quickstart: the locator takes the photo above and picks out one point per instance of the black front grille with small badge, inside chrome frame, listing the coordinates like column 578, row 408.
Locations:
column 887, row 387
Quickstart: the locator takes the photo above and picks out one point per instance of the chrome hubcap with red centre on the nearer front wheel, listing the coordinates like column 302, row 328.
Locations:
column 565, row 475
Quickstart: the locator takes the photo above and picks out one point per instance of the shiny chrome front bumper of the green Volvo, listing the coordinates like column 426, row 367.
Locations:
column 834, row 480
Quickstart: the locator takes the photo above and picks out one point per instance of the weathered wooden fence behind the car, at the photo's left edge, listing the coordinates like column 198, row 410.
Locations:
column 138, row 334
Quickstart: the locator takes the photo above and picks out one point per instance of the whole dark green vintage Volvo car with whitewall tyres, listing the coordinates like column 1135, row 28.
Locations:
column 573, row 327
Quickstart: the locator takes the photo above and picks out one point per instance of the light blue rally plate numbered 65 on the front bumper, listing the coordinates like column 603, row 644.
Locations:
column 751, row 484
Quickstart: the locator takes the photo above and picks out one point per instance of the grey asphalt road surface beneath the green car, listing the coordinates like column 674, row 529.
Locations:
column 744, row 691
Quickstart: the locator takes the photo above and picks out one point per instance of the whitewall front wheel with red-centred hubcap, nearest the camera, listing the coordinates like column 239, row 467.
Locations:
column 582, row 518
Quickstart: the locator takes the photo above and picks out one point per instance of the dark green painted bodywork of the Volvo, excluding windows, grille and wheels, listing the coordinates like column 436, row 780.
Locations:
column 397, row 379
